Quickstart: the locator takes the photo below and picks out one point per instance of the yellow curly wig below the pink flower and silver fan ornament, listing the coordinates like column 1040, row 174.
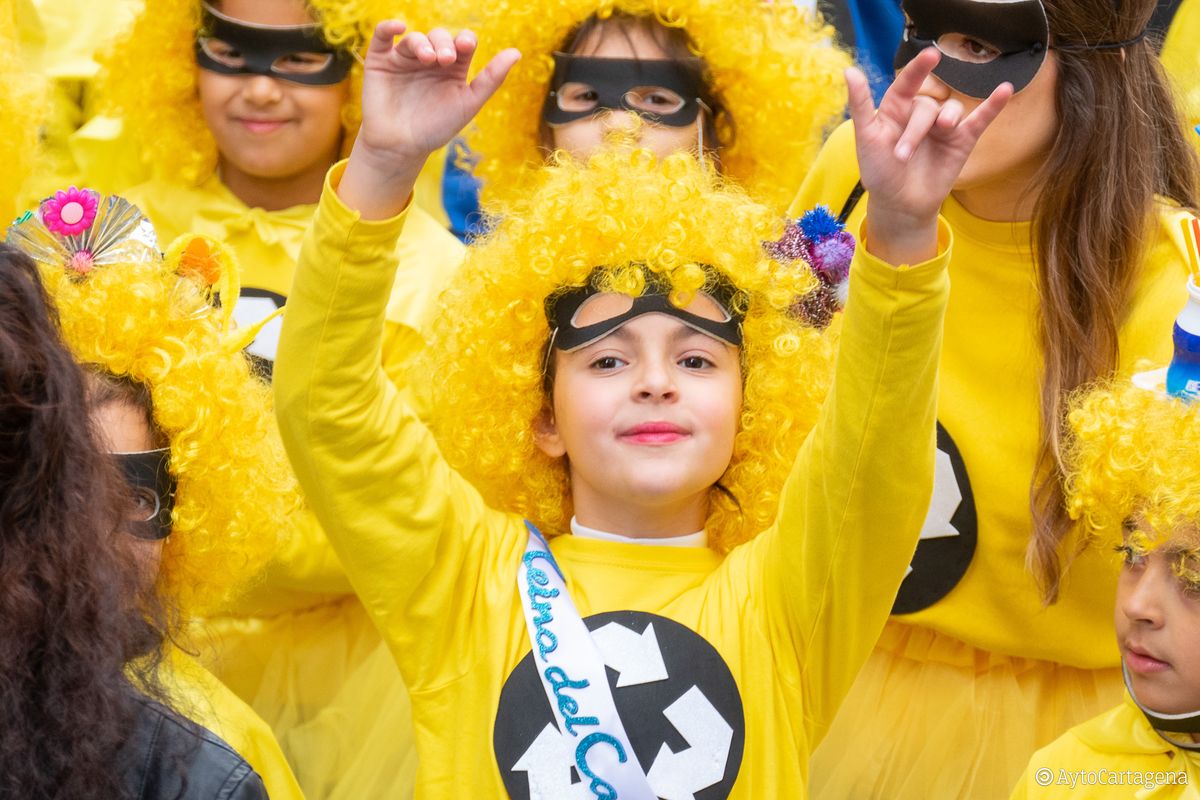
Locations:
column 236, row 491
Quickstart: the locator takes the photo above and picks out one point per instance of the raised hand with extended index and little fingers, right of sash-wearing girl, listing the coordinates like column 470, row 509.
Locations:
column 910, row 154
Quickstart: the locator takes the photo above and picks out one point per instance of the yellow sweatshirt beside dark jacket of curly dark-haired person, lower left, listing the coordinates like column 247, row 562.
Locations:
column 202, row 699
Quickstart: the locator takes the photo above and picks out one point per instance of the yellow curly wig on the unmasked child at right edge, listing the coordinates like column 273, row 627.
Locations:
column 1135, row 458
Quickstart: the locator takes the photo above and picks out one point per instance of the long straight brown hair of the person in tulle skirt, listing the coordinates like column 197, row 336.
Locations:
column 1121, row 142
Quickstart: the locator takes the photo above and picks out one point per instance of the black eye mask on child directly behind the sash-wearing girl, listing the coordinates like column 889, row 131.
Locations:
column 614, row 79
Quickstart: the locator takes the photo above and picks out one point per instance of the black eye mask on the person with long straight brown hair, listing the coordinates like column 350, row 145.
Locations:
column 1016, row 28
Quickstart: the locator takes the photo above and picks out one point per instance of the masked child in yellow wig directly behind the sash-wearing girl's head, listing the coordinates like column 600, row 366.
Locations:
column 757, row 86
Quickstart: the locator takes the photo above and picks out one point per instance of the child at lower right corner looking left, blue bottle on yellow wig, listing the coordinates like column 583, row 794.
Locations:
column 1132, row 479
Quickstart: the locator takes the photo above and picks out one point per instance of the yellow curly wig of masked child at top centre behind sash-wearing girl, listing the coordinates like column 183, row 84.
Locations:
column 775, row 67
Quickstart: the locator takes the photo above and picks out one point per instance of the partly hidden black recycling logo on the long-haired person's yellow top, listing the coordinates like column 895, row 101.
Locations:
column 949, row 538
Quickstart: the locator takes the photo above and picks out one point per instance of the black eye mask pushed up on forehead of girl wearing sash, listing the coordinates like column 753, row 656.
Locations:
column 562, row 310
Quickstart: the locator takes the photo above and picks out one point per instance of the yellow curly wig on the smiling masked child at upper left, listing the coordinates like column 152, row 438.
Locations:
column 159, row 103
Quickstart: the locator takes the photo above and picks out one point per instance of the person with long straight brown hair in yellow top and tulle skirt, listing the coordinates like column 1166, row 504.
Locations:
column 1061, row 275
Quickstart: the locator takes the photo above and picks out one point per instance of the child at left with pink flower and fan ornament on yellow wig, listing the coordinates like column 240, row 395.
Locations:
column 217, row 477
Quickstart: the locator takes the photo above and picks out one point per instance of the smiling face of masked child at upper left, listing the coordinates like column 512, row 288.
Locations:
column 271, row 130
